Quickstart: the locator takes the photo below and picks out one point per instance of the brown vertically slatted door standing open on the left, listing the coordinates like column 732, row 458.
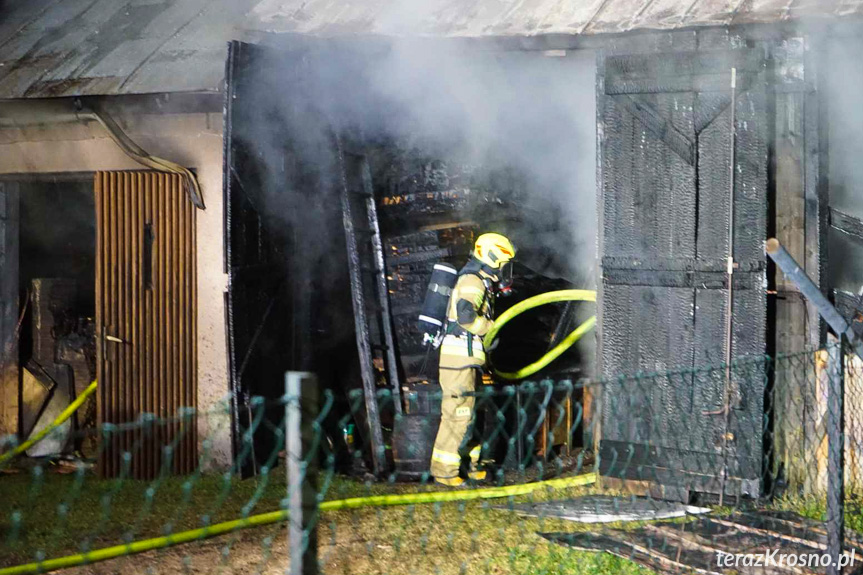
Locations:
column 145, row 317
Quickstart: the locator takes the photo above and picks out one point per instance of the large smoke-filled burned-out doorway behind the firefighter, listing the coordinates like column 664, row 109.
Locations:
column 482, row 142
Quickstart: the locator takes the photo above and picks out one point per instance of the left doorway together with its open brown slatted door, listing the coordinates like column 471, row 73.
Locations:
column 102, row 267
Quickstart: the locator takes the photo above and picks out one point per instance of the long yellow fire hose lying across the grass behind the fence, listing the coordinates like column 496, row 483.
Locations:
column 277, row 516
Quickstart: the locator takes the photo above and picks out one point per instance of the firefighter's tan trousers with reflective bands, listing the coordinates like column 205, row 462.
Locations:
column 457, row 414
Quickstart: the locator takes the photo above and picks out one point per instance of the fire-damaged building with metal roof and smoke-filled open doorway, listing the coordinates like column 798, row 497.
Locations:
column 606, row 137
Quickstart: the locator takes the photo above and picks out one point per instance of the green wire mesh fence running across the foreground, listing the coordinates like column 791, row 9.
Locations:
column 689, row 470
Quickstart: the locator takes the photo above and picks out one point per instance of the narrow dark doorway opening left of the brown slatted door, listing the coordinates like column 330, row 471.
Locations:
column 56, row 293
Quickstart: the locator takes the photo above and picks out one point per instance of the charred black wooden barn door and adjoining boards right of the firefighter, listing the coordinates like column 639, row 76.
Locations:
column 663, row 224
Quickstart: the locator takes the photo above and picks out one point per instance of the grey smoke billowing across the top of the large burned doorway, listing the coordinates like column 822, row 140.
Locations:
column 523, row 121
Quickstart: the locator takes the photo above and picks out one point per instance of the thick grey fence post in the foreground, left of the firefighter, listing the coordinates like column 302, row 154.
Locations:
column 301, row 409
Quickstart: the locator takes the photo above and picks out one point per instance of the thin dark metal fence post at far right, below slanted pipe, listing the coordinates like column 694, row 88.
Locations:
column 835, row 456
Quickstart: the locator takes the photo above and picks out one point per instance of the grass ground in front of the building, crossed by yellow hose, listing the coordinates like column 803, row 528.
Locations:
column 66, row 514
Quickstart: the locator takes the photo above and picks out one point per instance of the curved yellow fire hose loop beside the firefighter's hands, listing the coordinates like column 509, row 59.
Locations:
column 536, row 301
